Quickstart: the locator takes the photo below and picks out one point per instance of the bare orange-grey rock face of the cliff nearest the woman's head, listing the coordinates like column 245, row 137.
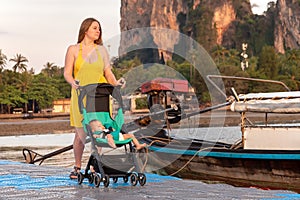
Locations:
column 137, row 14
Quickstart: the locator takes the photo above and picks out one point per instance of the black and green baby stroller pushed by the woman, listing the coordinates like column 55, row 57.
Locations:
column 98, row 106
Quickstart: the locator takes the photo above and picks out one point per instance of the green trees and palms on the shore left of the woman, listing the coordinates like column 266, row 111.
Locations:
column 21, row 88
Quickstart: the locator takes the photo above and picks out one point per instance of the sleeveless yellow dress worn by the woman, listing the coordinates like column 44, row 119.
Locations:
column 86, row 73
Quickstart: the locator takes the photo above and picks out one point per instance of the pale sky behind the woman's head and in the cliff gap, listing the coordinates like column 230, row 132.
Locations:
column 41, row 30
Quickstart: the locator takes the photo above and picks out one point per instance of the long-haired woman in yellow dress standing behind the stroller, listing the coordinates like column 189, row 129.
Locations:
column 86, row 62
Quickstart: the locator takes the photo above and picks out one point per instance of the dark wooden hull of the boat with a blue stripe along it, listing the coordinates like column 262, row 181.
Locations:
column 210, row 161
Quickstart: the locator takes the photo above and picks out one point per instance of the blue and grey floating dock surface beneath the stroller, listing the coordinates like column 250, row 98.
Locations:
column 20, row 181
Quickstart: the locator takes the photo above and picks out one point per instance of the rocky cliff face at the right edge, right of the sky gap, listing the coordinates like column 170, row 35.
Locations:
column 287, row 25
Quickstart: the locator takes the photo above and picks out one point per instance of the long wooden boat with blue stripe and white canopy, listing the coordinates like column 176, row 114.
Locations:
column 266, row 156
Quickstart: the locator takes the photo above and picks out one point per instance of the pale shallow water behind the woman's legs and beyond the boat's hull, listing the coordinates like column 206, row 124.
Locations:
column 11, row 146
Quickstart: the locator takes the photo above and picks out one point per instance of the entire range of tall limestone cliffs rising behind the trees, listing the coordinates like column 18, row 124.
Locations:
column 226, row 24
